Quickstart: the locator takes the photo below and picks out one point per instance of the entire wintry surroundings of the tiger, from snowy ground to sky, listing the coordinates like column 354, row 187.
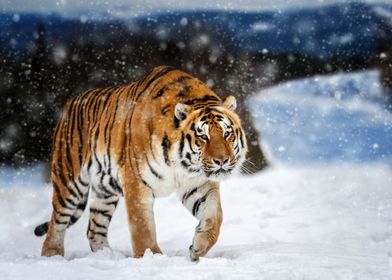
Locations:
column 313, row 79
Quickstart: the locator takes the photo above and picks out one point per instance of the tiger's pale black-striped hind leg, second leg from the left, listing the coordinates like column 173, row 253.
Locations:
column 103, row 203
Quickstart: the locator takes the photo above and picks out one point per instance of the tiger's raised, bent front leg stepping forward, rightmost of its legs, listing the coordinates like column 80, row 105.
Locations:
column 204, row 203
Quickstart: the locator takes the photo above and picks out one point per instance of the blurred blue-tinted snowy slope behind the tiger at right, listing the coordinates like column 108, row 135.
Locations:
column 340, row 117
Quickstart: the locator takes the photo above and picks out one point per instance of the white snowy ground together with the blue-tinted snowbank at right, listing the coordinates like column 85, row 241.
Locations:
column 306, row 217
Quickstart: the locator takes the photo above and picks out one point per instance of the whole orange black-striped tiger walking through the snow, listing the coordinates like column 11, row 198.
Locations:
column 166, row 133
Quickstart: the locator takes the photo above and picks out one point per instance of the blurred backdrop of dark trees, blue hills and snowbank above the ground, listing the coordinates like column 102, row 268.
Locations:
column 53, row 50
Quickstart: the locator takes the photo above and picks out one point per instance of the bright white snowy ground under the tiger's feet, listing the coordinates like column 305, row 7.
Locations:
column 287, row 223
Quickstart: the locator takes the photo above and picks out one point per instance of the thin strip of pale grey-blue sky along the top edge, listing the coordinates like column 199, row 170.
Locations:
column 139, row 7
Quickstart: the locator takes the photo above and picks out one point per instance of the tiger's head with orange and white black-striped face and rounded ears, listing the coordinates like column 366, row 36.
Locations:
column 212, row 143
